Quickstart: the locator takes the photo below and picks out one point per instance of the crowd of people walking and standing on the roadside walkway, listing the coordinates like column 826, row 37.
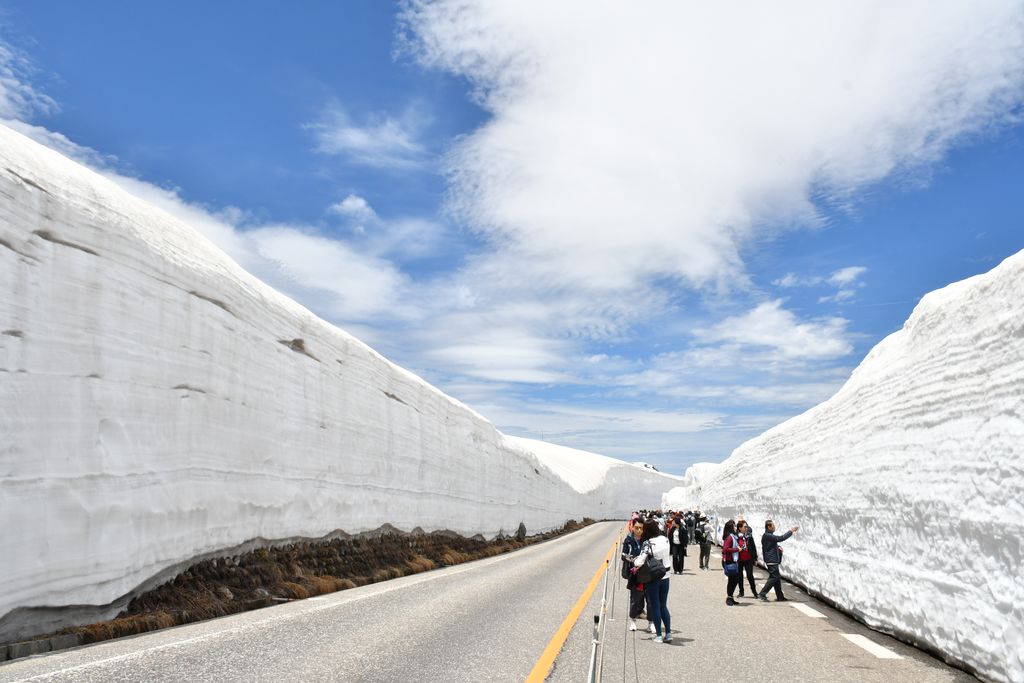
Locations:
column 657, row 544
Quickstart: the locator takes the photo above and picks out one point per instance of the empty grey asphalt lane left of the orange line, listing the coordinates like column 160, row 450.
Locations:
column 485, row 621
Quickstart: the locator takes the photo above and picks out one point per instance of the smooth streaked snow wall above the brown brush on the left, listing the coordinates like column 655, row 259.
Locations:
column 159, row 405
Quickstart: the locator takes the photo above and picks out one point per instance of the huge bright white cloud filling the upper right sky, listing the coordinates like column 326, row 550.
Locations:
column 657, row 141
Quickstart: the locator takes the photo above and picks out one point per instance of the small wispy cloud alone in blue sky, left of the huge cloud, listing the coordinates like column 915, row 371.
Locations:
column 382, row 142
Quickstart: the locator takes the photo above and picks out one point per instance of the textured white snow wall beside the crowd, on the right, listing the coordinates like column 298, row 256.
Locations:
column 909, row 484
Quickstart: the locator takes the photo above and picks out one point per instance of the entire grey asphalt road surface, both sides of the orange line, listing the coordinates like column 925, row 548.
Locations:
column 491, row 621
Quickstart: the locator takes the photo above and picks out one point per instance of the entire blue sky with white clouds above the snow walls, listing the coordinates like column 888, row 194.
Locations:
column 651, row 234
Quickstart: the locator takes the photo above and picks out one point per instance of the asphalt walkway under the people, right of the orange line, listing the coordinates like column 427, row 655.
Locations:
column 798, row 641
